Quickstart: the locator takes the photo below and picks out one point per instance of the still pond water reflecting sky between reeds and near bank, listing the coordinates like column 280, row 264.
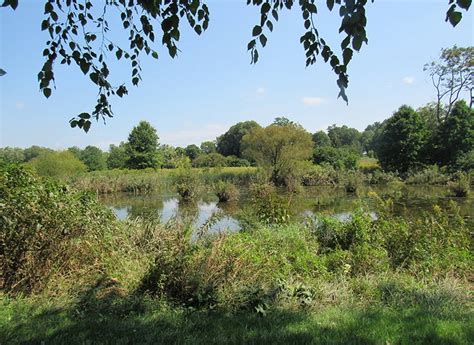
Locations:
column 411, row 200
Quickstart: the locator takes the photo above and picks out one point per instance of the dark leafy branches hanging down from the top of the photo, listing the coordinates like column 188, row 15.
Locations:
column 82, row 37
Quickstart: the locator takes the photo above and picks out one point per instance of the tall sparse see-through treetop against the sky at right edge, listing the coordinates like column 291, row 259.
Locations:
column 451, row 75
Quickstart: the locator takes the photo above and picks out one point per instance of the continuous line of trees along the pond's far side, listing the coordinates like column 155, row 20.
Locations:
column 406, row 142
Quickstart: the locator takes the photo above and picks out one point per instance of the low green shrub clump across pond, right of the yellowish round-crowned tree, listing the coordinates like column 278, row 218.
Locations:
column 338, row 158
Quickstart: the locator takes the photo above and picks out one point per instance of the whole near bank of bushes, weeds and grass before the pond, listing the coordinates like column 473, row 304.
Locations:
column 73, row 273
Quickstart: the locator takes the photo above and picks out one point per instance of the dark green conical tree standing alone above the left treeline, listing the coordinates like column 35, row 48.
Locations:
column 142, row 147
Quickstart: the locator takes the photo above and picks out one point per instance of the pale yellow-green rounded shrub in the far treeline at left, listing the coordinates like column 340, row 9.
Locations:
column 57, row 164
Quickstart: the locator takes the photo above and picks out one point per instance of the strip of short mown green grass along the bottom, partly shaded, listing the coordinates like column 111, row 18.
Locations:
column 144, row 321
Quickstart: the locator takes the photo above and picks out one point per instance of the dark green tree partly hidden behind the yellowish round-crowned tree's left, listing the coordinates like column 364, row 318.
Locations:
column 229, row 144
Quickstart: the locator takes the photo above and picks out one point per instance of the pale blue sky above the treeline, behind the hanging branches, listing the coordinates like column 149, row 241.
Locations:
column 211, row 85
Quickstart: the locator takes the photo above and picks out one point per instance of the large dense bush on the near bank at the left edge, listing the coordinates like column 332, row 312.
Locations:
column 43, row 225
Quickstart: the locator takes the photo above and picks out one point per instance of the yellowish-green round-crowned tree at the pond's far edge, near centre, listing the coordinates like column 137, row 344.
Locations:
column 278, row 148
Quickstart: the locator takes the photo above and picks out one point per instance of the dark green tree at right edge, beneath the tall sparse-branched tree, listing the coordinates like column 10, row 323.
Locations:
column 455, row 137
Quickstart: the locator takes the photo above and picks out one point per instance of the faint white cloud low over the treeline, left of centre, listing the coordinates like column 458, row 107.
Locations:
column 197, row 135
